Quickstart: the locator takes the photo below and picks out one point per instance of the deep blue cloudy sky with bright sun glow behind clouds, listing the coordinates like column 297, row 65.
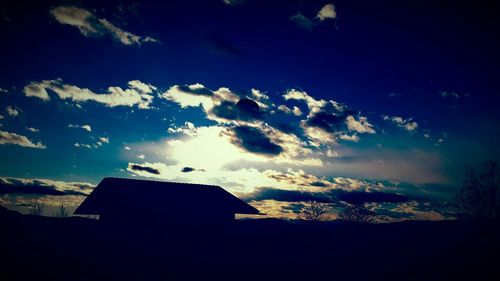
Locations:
column 278, row 102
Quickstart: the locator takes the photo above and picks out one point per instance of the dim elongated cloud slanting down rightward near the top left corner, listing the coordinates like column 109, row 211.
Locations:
column 89, row 25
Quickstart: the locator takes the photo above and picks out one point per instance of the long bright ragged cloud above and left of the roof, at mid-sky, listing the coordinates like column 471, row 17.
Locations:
column 137, row 93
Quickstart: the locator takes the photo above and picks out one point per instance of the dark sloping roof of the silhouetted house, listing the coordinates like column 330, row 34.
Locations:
column 131, row 194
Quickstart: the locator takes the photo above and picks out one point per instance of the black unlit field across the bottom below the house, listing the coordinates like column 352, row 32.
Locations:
column 43, row 248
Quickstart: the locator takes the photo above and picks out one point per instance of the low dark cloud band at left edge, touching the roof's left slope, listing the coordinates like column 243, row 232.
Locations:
column 43, row 187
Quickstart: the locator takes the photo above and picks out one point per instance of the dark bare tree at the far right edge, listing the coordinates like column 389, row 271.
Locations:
column 479, row 197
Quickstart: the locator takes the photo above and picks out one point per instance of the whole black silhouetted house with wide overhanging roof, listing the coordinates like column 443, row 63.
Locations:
column 131, row 201
